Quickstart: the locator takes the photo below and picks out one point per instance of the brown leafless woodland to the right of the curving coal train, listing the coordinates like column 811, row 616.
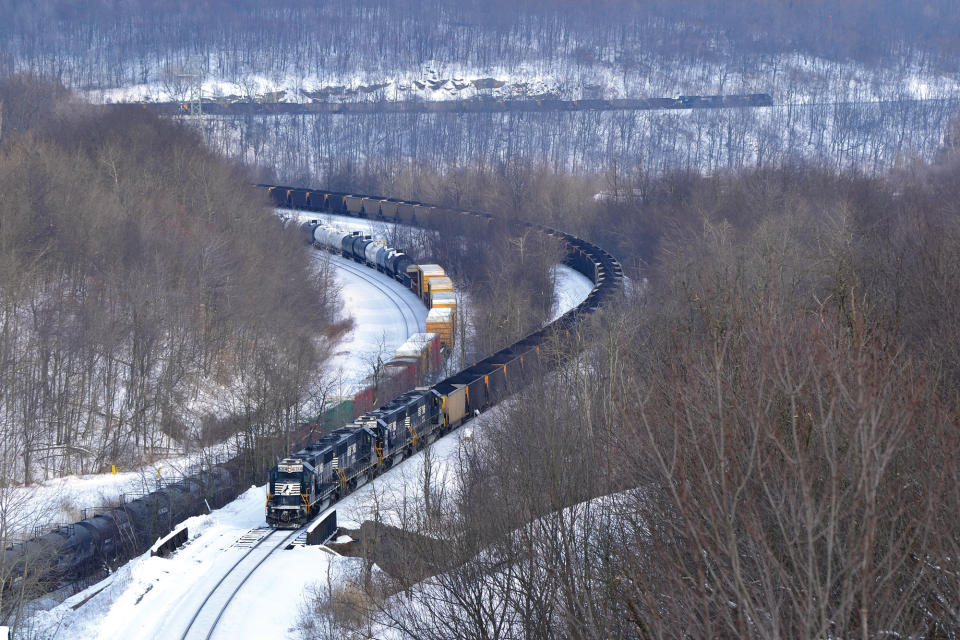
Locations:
column 763, row 444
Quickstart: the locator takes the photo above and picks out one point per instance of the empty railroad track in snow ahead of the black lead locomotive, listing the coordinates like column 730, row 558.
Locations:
column 203, row 623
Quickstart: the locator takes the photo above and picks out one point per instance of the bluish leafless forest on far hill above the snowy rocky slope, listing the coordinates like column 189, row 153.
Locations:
column 721, row 45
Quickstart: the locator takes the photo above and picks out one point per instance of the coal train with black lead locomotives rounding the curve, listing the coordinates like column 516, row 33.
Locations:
column 305, row 483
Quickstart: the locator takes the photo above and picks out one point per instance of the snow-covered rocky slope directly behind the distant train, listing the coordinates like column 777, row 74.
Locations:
column 789, row 78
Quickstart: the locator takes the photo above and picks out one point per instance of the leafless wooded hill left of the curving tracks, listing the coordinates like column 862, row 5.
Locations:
column 145, row 297
